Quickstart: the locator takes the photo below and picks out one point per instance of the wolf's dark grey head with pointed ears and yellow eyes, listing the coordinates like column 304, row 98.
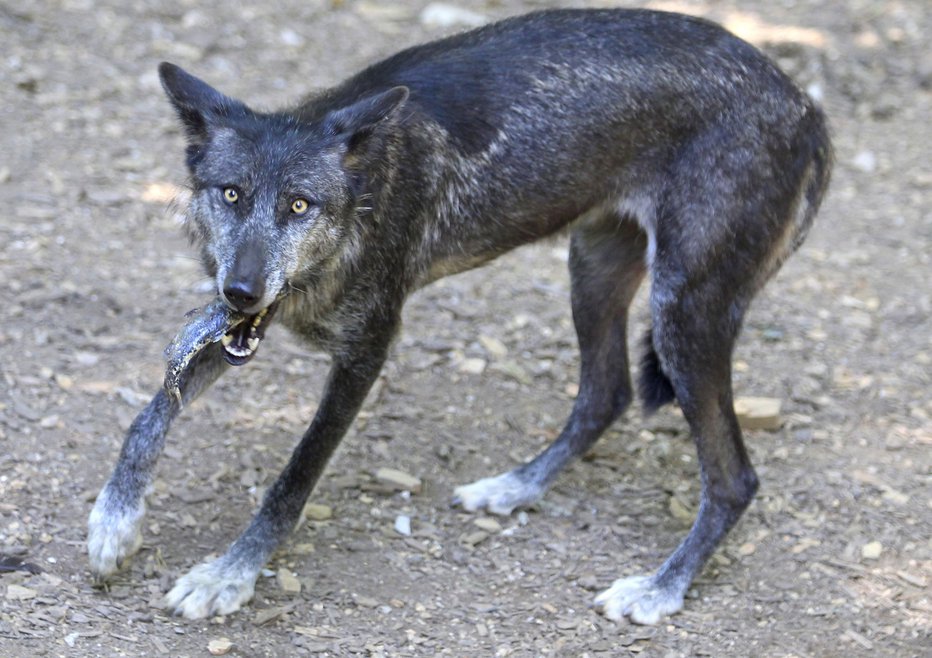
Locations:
column 273, row 197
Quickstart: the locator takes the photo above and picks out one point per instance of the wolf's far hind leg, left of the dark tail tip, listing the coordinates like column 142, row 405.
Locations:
column 606, row 268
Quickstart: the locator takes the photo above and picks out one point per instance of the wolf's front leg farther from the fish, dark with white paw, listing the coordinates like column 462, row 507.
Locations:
column 223, row 585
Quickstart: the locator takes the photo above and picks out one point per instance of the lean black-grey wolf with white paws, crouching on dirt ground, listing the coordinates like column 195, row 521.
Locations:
column 666, row 147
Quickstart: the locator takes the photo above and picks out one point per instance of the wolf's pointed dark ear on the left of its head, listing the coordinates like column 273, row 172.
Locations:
column 195, row 101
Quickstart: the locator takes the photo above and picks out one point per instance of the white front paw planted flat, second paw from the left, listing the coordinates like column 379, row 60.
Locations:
column 211, row 589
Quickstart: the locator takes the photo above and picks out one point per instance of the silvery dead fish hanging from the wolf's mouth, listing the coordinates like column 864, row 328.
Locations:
column 206, row 325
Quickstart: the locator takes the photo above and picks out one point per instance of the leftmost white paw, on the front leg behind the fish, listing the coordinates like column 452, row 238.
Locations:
column 113, row 533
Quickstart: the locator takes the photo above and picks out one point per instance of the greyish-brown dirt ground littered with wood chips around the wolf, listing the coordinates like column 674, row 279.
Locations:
column 833, row 558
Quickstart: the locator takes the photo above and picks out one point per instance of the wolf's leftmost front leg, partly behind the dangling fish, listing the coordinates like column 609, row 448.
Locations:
column 114, row 526
